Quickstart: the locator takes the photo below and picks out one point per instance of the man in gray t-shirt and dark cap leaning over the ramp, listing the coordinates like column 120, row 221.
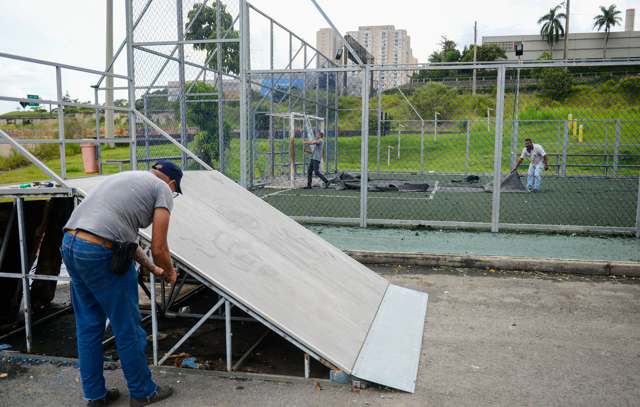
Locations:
column 107, row 220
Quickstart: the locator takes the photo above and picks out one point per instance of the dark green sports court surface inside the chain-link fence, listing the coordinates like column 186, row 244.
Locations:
column 563, row 201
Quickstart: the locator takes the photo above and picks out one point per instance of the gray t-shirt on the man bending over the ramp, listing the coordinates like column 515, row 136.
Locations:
column 120, row 205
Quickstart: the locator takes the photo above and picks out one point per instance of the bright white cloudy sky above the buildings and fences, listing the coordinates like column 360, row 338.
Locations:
column 73, row 31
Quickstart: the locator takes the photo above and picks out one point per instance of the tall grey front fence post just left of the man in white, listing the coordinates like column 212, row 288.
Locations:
column 497, row 155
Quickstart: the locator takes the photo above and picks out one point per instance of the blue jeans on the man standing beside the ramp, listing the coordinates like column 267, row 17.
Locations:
column 98, row 294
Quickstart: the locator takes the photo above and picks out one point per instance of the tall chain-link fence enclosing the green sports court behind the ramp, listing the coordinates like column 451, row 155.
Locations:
column 434, row 145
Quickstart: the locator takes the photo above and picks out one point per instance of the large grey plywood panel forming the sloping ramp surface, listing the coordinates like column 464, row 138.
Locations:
column 283, row 272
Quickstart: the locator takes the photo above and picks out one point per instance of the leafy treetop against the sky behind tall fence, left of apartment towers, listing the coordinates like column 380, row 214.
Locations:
column 203, row 27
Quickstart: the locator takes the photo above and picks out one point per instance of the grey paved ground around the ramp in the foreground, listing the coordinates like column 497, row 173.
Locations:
column 505, row 339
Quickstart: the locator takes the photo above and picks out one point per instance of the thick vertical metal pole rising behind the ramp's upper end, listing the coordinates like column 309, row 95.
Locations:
column 244, row 118
